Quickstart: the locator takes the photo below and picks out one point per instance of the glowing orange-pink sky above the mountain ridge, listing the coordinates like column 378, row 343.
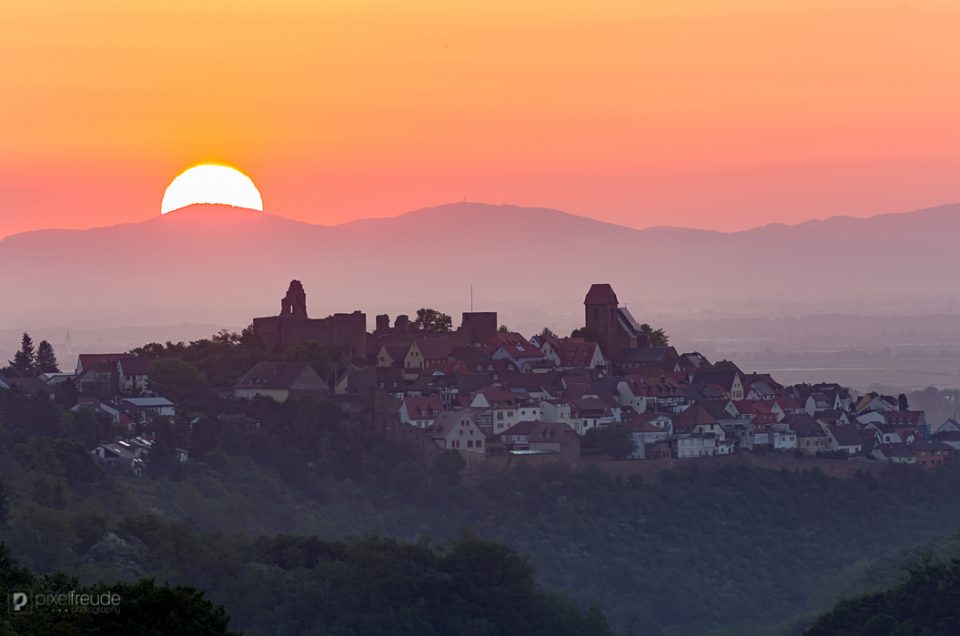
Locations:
column 718, row 114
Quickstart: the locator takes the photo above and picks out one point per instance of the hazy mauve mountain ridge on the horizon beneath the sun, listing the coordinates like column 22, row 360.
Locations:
column 214, row 263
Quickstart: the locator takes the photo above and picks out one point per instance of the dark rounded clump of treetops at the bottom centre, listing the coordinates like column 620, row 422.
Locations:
column 382, row 586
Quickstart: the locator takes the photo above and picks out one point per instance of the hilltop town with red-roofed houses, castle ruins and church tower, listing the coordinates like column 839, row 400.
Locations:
column 615, row 388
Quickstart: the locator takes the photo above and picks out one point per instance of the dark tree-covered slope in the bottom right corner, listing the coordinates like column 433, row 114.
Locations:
column 926, row 601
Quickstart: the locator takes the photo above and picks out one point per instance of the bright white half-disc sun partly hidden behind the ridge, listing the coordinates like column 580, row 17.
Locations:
column 211, row 183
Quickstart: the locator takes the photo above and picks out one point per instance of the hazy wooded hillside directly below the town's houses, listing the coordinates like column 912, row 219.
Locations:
column 695, row 553
